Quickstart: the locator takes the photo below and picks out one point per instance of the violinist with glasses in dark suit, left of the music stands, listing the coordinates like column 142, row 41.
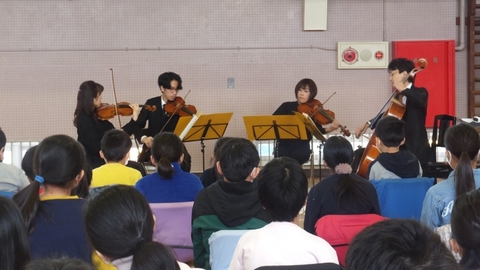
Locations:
column 169, row 83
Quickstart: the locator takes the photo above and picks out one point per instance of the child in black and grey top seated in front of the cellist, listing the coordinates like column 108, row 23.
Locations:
column 393, row 161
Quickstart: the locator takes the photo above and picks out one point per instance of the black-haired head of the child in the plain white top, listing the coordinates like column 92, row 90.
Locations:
column 282, row 188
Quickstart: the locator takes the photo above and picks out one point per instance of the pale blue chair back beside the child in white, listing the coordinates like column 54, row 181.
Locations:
column 222, row 245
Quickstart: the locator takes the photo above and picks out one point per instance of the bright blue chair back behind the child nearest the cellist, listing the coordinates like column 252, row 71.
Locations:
column 402, row 198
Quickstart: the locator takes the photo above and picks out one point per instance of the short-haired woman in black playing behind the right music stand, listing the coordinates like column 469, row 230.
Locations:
column 305, row 91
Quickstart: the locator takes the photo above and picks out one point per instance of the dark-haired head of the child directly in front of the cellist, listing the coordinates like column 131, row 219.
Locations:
column 391, row 131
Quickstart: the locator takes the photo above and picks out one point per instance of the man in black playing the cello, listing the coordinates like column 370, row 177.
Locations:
column 415, row 100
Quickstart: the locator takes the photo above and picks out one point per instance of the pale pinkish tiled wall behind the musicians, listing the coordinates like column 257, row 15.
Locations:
column 47, row 48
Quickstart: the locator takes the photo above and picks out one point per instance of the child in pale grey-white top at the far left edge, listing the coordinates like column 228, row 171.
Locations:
column 12, row 179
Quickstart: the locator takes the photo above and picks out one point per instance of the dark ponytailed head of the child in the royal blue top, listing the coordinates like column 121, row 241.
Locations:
column 166, row 148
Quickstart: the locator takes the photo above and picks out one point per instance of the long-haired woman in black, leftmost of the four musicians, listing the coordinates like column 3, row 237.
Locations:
column 90, row 128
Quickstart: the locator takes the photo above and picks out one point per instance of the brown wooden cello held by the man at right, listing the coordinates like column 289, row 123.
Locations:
column 397, row 109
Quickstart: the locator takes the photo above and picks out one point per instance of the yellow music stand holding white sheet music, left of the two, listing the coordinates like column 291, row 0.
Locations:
column 202, row 127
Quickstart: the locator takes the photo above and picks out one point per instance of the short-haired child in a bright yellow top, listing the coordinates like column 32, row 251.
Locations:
column 115, row 146
